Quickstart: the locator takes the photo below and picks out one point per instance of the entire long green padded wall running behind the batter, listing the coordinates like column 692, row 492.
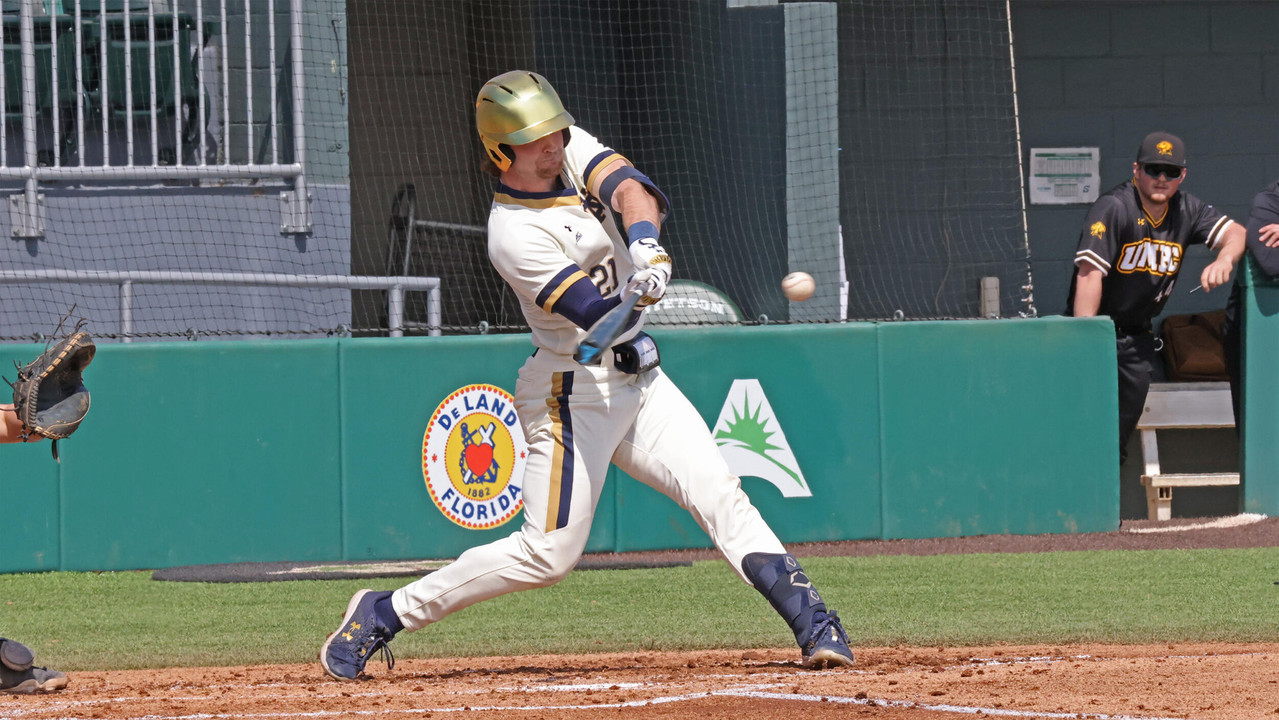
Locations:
column 311, row 451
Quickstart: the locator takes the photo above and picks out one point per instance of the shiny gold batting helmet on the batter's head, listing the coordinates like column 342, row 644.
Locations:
column 517, row 108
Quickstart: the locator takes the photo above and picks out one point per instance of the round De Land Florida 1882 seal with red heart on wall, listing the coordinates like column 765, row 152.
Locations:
column 474, row 456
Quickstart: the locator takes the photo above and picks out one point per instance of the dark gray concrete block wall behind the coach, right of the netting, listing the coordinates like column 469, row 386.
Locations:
column 1103, row 75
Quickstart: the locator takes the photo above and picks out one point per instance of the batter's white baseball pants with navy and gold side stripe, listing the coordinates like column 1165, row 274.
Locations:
column 577, row 420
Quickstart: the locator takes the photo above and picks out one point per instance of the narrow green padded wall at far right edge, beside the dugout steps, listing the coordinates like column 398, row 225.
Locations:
column 1260, row 451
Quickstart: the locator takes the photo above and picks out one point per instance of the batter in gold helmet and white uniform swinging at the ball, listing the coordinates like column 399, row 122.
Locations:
column 553, row 236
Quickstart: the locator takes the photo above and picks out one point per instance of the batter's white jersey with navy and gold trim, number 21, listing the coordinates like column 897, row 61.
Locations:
column 542, row 244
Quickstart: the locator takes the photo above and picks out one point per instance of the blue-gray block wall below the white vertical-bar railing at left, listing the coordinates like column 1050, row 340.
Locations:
column 173, row 230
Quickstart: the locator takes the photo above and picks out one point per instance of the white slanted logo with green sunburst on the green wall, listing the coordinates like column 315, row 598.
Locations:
column 753, row 442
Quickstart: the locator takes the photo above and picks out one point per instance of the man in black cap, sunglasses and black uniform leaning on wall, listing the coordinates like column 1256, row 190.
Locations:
column 1130, row 253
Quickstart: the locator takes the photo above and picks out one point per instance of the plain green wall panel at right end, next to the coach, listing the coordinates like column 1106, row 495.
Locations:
column 1000, row 428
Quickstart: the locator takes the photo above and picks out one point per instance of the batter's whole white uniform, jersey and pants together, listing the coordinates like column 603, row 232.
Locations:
column 579, row 420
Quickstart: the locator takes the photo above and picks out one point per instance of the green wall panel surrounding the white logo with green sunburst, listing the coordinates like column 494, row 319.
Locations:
column 823, row 388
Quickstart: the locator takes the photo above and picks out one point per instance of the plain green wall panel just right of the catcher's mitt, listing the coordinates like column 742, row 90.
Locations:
column 204, row 453
